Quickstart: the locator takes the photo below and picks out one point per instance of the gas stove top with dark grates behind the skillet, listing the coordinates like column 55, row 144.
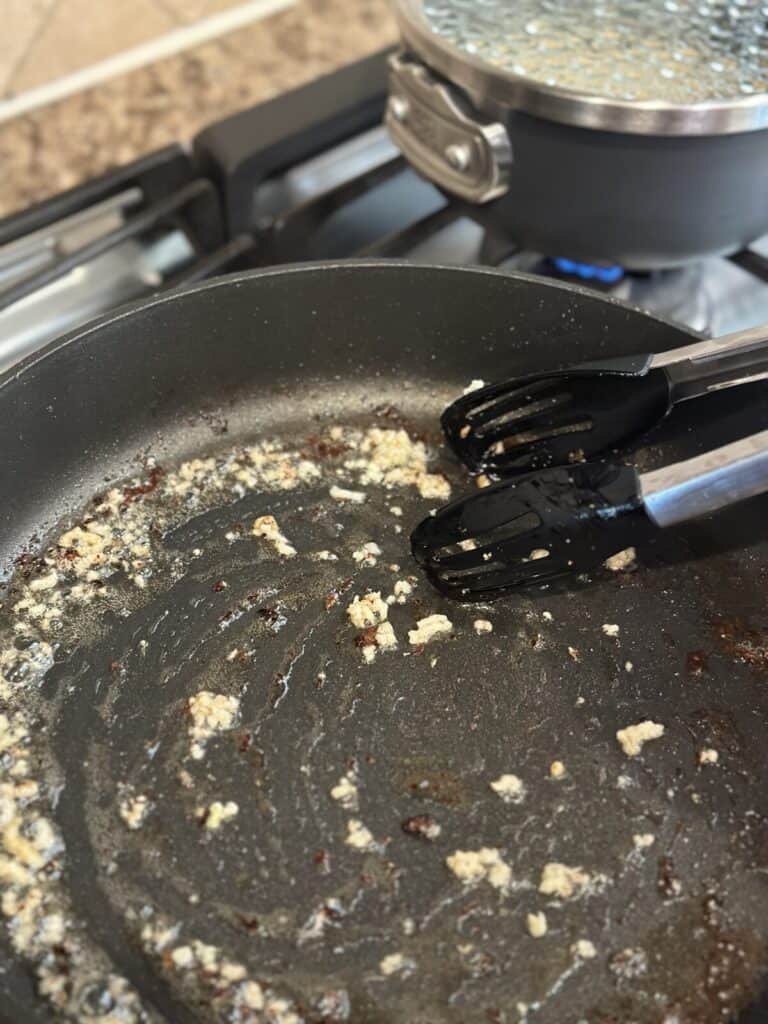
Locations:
column 311, row 176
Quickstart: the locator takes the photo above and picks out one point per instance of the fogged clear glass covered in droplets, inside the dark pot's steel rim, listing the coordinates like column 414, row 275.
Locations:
column 674, row 52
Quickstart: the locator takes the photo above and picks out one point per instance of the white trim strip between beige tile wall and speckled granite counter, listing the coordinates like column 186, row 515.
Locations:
column 139, row 57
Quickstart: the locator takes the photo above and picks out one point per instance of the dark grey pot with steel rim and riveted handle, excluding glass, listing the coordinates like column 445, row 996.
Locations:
column 646, row 185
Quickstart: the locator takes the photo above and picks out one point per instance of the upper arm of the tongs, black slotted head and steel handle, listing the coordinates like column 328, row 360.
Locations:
column 550, row 419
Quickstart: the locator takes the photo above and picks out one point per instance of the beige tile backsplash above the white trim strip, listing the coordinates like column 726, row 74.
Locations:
column 44, row 40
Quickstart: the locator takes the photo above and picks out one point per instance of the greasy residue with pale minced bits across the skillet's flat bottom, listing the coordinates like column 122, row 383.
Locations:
column 275, row 757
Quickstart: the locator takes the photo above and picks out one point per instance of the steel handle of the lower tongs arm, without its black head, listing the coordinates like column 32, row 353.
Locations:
column 708, row 483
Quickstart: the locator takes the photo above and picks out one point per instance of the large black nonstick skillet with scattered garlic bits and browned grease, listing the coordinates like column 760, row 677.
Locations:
column 248, row 891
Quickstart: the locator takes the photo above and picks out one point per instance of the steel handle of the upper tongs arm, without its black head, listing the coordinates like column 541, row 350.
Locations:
column 711, row 366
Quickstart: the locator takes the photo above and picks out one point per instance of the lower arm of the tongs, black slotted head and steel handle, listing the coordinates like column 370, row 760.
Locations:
column 536, row 530
